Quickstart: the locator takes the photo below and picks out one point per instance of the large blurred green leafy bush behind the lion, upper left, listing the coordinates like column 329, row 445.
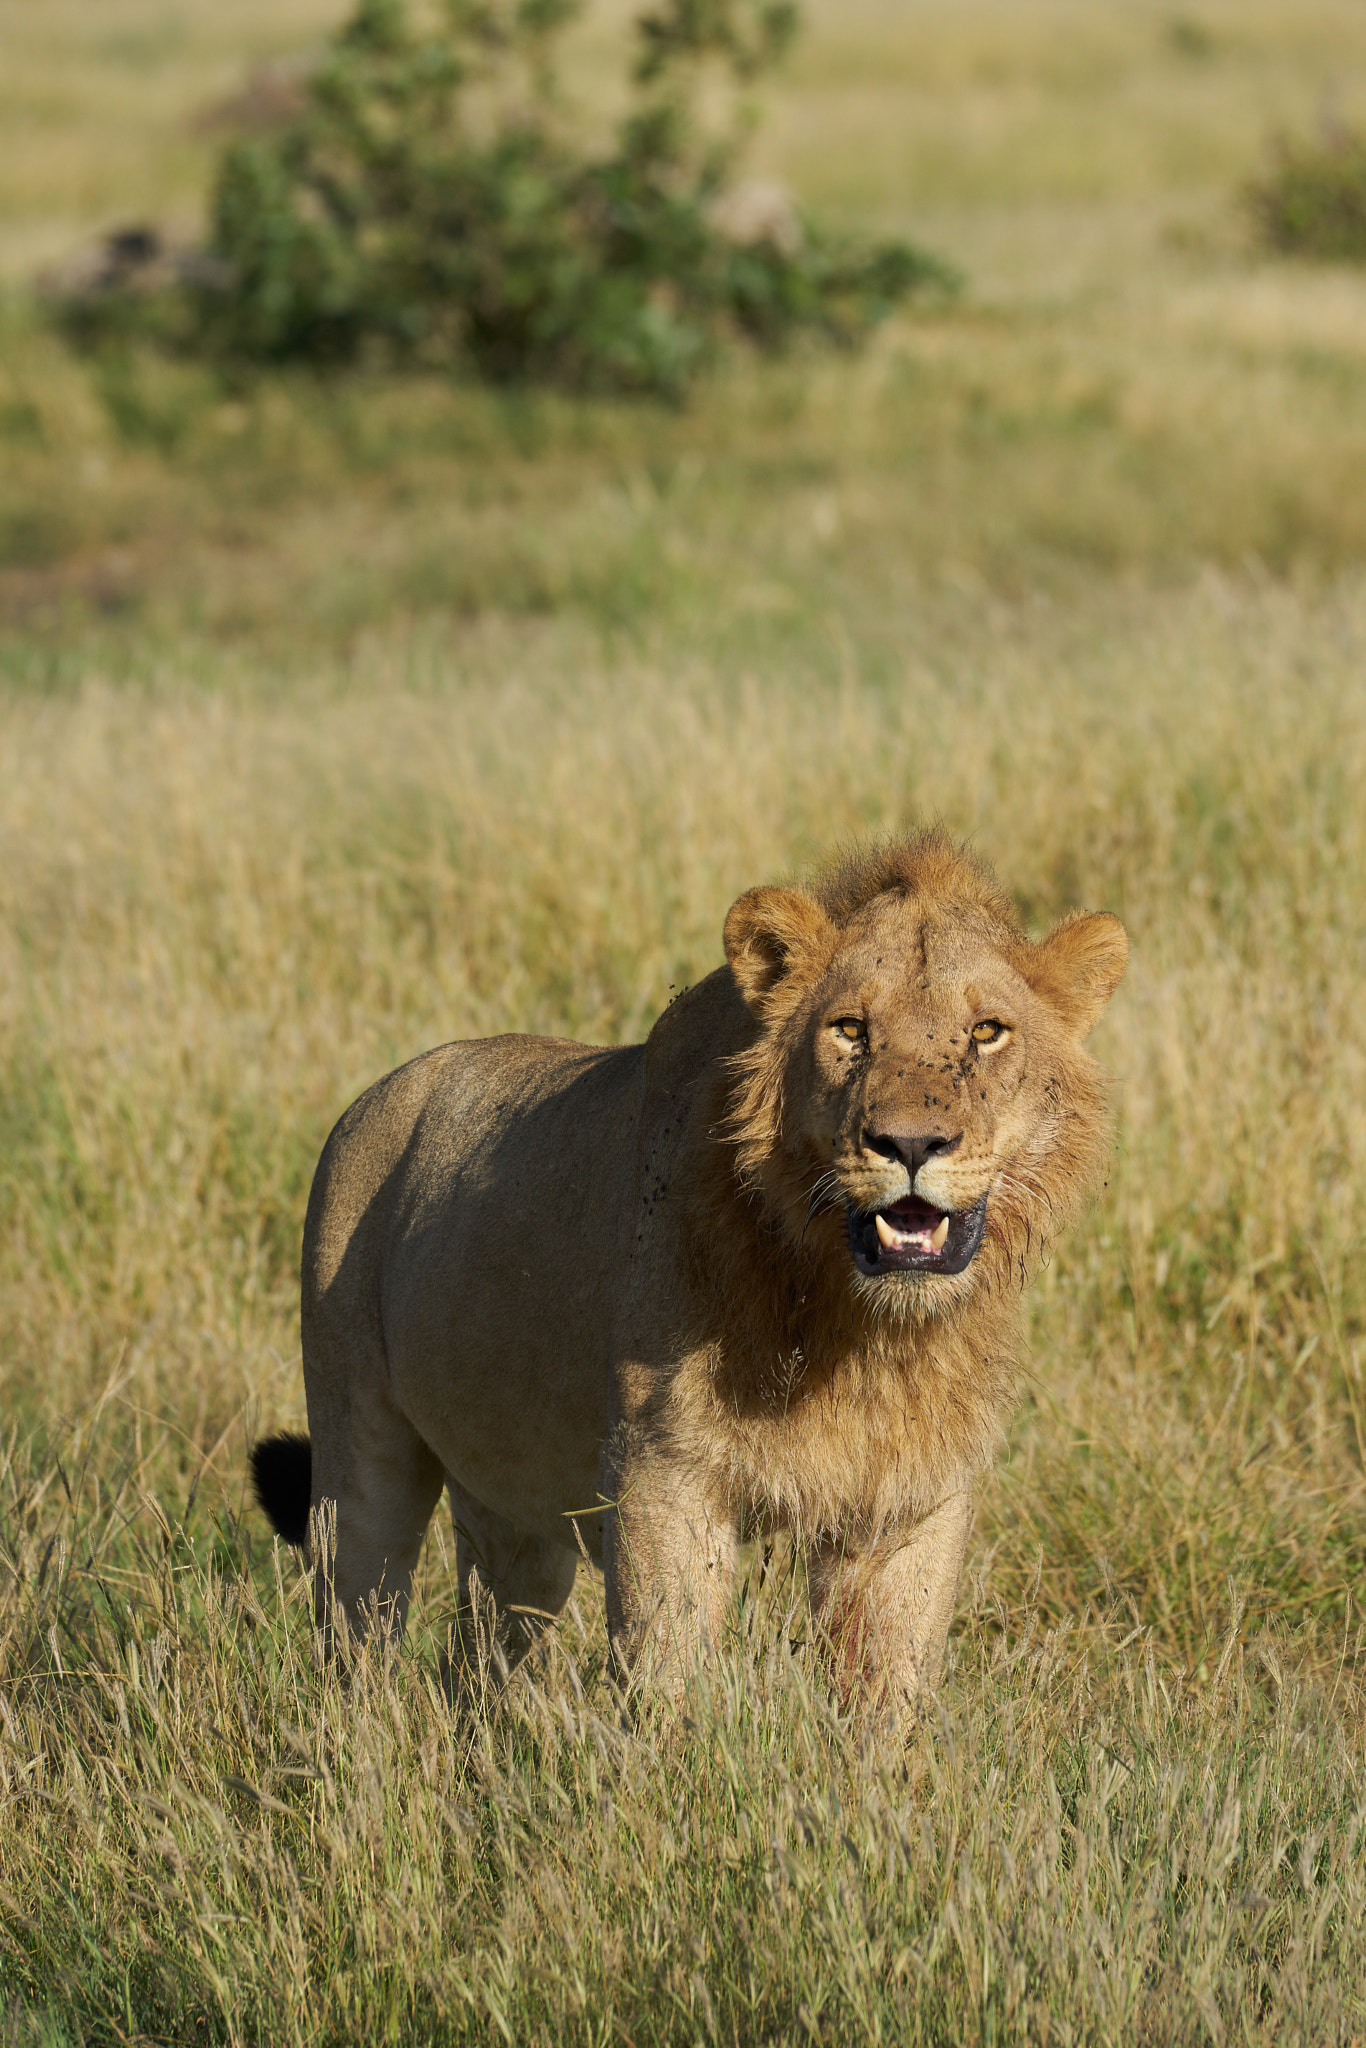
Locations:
column 433, row 206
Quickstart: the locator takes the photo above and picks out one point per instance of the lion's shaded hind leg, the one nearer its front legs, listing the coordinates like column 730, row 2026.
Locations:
column 513, row 1584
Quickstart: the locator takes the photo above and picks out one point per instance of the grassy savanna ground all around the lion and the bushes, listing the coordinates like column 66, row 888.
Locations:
column 347, row 718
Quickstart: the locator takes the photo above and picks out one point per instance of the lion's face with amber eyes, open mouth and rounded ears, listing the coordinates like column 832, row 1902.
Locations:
column 919, row 1089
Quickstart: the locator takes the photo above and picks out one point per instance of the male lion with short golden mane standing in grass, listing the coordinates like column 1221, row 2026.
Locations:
column 757, row 1273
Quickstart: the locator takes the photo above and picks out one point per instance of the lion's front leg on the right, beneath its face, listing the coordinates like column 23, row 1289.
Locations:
column 886, row 1611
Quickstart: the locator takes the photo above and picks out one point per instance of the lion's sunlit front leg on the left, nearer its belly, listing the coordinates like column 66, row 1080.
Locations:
column 669, row 1564
